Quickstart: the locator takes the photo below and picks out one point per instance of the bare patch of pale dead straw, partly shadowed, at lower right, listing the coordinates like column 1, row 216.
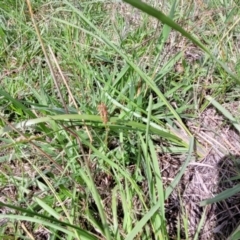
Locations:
column 207, row 178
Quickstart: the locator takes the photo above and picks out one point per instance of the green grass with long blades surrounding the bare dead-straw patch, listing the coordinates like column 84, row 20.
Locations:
column 94, row 97
